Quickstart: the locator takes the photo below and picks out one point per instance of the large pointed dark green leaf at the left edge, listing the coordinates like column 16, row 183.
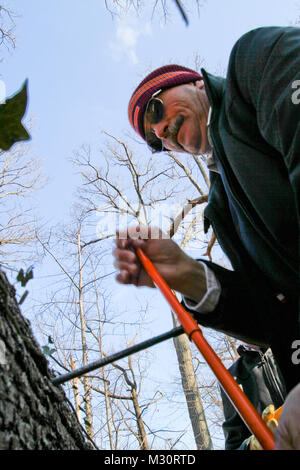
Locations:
column 11, row 114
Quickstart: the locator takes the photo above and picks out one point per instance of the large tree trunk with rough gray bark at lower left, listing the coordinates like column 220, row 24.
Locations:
column 34, row 414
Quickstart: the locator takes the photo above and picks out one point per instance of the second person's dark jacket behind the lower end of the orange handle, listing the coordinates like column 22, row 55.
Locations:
column 258, row 375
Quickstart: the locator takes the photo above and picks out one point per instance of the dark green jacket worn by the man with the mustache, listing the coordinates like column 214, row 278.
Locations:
column 253, row 203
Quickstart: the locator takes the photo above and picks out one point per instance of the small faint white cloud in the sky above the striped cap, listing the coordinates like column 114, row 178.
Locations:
column 127, row 36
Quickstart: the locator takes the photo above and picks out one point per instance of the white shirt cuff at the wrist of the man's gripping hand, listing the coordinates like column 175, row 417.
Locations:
column 210, row 300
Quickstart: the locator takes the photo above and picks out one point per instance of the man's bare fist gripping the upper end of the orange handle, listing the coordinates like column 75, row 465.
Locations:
column 182, row 273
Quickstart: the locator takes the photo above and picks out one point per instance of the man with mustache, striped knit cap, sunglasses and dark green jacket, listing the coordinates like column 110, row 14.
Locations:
column 248, row 125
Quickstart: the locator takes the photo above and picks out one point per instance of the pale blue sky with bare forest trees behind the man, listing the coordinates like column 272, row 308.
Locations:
column 83, row 174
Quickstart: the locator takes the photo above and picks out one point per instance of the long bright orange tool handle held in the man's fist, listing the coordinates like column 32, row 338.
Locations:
column 243, row 405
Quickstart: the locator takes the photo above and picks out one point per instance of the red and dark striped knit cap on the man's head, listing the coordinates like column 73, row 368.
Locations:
column 161, row 78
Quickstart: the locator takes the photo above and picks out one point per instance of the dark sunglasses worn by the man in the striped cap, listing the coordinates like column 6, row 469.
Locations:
column 154, row 113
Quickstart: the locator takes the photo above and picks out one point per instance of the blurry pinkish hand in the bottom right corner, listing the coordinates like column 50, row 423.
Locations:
column 287, row 435
